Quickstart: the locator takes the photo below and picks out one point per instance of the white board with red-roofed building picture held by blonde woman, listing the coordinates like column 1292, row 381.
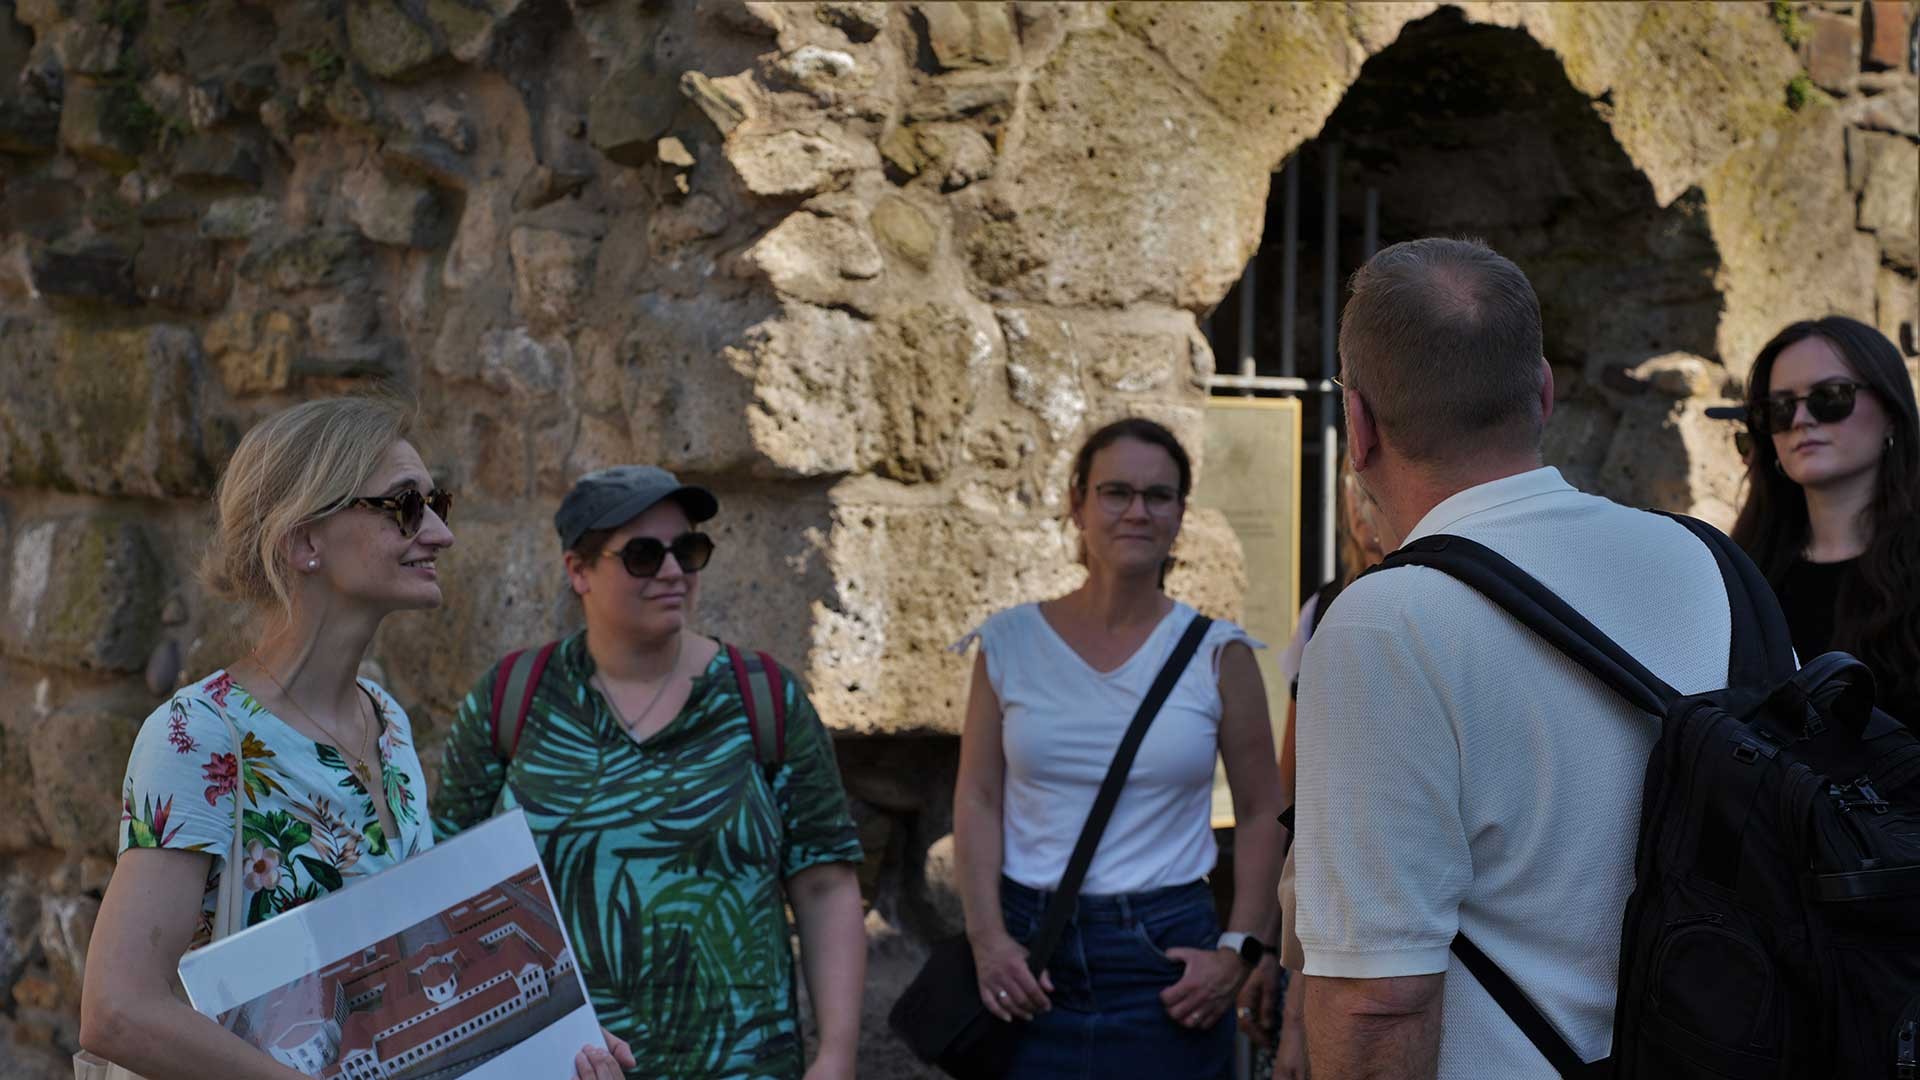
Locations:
column 452, row 964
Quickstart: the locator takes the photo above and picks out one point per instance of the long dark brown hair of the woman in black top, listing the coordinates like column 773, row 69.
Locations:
column 1877, row 618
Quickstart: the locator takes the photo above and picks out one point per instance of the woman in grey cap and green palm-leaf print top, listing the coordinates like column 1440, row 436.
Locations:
column 669, row 845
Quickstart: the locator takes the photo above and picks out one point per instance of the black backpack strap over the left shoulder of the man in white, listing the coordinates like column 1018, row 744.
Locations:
column 1541, row 610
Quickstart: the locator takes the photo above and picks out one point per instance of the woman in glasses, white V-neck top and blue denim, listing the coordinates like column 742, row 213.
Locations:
column 1143, row 981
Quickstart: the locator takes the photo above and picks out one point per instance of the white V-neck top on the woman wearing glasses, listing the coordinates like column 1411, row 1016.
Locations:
column 1061, row 724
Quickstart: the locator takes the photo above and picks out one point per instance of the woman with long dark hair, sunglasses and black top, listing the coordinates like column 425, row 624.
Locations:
column 1833, row 506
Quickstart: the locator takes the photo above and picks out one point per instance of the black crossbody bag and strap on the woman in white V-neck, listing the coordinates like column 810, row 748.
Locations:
column 940, row 1016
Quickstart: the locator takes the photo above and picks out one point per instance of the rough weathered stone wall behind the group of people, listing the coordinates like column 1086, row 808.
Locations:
column 867, row 270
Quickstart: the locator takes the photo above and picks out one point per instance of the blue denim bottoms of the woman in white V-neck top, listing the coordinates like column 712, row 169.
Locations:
column 1109, row 971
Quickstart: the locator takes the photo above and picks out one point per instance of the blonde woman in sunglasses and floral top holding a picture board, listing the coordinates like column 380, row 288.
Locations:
column 327, row 524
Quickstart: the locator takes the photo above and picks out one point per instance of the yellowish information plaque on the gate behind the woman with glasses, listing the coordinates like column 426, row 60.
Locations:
column 1251, row 474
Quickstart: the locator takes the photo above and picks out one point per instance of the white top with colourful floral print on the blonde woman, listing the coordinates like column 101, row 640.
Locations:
column 308, row 823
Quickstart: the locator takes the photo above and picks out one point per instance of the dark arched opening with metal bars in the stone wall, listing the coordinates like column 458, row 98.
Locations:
column 1476, row 132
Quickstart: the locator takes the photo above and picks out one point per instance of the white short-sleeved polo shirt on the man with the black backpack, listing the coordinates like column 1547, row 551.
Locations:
column 1458, row 773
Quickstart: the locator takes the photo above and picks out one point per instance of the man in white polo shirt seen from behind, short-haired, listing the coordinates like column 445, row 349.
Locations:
column 1458, row 775
